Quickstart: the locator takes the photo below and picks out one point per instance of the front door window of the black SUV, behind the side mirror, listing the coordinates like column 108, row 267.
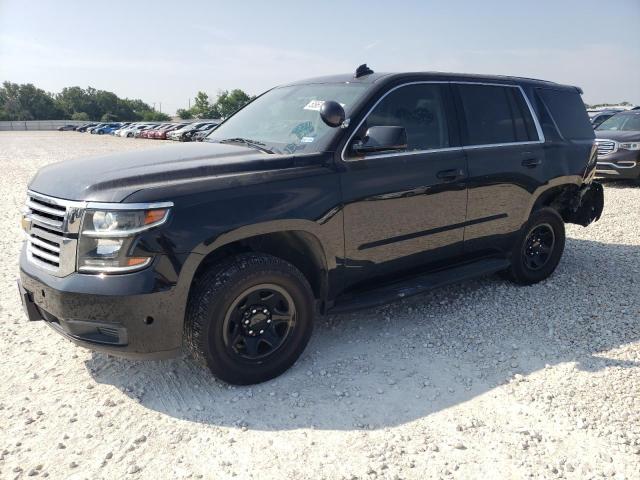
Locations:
column 420, row 109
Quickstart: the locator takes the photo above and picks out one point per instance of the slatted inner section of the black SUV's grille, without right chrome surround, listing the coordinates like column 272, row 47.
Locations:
column 46, row 234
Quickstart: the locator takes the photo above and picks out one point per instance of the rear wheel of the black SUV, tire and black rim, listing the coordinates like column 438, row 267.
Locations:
column 538, row 248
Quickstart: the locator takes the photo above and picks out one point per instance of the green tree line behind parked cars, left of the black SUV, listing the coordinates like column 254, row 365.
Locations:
column 27, row 102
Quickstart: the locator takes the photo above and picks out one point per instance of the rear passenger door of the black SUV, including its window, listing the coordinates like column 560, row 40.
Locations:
column 504, row 147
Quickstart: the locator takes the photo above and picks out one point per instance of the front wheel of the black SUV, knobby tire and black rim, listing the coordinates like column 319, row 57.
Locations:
column 250, row 318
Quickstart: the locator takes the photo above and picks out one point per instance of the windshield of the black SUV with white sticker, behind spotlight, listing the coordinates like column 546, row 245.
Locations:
column 287, row 119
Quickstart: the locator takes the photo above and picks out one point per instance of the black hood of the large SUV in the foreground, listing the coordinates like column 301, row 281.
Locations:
column 112, row 178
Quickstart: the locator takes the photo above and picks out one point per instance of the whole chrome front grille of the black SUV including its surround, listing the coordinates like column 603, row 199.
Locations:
column 53, row 223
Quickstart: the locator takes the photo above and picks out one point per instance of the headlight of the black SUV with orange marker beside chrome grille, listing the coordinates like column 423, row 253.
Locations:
column 107, row 237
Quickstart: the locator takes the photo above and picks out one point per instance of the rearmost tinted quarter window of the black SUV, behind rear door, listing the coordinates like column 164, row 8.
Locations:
column 569, row 113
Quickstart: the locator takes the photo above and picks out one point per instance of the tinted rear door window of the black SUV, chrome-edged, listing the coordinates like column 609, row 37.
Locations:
column 496, row 114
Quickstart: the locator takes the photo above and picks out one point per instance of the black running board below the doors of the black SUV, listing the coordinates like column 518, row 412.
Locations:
column 416, row 285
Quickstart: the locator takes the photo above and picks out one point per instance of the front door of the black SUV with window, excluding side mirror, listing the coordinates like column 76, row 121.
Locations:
column 405, row 210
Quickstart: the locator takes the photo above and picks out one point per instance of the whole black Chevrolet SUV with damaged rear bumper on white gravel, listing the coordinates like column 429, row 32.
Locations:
column 325, row 196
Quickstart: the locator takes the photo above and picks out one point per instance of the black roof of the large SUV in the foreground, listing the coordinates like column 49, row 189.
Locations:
column 437, row 76
